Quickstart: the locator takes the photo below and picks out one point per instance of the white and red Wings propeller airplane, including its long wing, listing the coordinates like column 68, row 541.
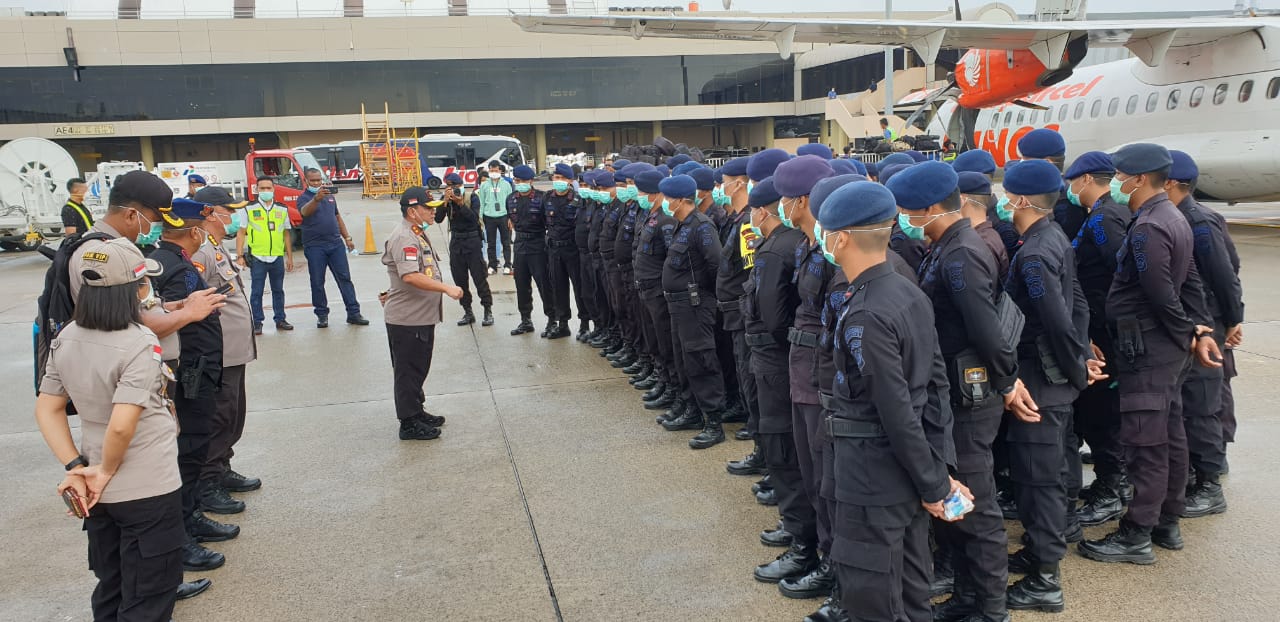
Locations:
column 1206, row 86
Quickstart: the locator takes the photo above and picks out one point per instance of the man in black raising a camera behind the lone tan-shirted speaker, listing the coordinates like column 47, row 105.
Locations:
column 467, row 248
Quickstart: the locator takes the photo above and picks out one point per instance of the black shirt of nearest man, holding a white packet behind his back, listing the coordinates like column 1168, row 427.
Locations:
column 890, row 372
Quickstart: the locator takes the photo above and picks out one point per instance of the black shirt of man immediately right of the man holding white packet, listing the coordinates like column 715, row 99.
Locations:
column 959, row 278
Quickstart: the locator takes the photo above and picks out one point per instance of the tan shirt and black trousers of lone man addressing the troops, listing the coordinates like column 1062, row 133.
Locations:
column 412, row 315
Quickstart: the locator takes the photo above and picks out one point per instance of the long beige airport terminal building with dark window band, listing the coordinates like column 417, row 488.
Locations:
column 112, row 80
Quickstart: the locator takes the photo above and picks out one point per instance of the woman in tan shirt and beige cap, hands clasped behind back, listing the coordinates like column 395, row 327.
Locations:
column 126, row 469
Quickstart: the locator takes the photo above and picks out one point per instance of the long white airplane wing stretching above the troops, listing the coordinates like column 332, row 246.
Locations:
column 1149, row 40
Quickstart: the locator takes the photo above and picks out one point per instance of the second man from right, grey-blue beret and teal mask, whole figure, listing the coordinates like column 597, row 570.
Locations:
column 1159, row 317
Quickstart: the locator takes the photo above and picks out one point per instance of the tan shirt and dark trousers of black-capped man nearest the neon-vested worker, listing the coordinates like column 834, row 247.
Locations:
column 214, row 263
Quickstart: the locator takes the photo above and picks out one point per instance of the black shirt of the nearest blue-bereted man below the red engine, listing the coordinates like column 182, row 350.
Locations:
column 1043, row 282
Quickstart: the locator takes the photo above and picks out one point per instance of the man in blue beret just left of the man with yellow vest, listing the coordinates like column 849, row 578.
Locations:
column 689, row 286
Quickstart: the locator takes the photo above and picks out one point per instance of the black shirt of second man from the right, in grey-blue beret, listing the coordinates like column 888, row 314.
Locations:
column 1156, row 281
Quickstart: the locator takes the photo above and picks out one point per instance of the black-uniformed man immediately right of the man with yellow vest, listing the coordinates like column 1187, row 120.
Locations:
column 769, row 314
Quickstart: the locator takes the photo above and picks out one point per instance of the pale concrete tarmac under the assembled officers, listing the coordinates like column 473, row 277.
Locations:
column 552, row 495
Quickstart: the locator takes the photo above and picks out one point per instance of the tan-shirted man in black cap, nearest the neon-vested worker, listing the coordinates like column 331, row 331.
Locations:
column 214, row 262
